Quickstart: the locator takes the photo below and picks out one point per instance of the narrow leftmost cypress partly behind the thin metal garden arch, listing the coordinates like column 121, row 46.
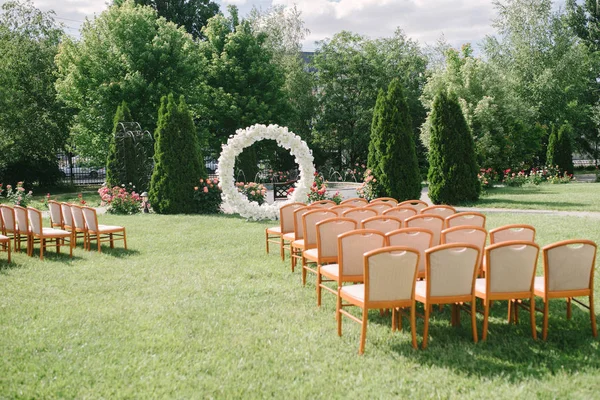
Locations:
column 119, row 152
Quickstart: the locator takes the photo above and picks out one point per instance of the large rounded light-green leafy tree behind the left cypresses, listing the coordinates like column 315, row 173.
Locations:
column 126, row 54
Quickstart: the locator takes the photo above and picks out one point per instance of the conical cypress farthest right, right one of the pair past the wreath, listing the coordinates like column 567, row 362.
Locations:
column 452, row 167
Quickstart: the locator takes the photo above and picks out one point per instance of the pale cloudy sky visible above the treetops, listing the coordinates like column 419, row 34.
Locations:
column 457, row 21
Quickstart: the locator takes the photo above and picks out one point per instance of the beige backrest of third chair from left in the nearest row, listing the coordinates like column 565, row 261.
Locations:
column 511, row 266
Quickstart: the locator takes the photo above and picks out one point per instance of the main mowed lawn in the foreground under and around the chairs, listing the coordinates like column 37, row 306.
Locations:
column 196, row 309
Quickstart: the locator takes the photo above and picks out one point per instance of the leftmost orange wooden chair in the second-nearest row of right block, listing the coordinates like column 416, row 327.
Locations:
column 349, row 268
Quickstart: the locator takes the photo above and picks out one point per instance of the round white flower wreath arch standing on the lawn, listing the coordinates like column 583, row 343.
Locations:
column 245, row 138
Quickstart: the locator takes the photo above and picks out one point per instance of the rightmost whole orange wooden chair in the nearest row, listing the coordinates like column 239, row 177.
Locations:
column 568, row 273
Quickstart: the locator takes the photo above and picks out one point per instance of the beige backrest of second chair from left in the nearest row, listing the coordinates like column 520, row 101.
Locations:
column 451, row 269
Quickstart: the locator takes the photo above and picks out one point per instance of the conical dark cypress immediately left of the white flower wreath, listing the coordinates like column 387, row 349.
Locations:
column 178, row 159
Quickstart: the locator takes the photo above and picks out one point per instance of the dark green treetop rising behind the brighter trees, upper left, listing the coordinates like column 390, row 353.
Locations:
column 191, row 14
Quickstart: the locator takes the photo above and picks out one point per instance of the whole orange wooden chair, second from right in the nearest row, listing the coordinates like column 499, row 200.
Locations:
column 510, row 273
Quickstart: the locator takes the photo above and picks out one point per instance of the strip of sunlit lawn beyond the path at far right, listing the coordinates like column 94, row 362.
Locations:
column 569, row 197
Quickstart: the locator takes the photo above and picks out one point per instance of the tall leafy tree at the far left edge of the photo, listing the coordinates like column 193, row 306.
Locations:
column 33, row 123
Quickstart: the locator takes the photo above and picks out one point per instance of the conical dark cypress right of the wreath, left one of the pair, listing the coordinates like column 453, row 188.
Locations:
column 392, row 156
